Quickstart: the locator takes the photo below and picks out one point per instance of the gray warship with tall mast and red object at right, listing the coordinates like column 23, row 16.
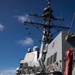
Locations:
column 56, row 56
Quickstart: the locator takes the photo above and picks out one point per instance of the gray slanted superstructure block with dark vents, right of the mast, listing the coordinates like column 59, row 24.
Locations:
column 55, row 57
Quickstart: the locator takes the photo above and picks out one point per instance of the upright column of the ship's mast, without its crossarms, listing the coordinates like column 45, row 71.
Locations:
column 47, row 36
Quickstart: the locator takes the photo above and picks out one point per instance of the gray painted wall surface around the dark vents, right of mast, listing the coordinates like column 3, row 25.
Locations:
column 60, row 46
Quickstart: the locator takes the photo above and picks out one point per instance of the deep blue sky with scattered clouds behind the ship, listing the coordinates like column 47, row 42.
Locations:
column 14, row 38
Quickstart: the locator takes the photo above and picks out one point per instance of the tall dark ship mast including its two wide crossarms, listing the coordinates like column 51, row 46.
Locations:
column 47, row 16
